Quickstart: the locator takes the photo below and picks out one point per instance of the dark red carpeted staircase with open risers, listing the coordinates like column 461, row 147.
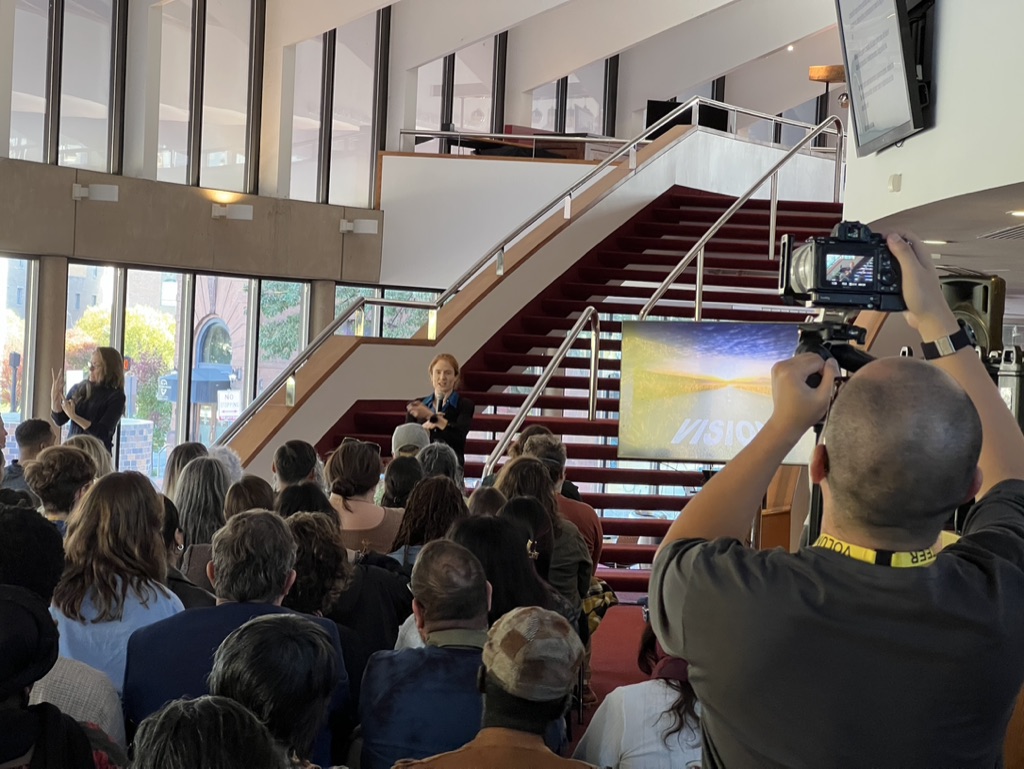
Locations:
column 618, row 277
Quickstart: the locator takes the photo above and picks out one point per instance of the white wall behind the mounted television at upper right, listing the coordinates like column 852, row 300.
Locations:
column 973, row 146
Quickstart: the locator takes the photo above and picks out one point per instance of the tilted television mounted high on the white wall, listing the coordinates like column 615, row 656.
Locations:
column 882, row 51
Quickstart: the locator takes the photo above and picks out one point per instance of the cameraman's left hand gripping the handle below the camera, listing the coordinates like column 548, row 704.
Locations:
column 798, row 406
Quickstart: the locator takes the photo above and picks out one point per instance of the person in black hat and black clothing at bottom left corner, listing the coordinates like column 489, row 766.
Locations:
column 39, row 736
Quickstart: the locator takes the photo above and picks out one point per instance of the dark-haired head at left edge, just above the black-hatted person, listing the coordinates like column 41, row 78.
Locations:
column 31, row 552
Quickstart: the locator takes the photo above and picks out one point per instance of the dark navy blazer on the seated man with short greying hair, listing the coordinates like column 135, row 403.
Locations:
column 173, row 659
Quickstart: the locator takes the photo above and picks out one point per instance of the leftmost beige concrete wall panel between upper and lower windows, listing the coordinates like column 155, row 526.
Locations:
column 38, row 213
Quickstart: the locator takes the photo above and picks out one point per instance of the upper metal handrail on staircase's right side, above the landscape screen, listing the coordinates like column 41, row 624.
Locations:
column 773, row 175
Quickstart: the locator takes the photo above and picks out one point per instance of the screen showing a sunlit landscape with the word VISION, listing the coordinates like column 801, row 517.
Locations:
column 700, row 392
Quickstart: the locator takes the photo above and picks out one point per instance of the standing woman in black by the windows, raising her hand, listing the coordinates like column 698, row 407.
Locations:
column 95, row 407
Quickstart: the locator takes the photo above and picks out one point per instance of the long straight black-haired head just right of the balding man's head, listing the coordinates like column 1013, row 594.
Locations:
column 502, row 547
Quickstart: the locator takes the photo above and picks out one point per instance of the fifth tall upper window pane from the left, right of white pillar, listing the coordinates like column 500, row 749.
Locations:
column 307, row 118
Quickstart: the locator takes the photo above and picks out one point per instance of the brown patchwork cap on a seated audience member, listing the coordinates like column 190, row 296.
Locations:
column 534, row 655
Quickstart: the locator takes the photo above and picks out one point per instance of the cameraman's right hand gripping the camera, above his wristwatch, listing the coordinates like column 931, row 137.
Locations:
column 927, row 310
